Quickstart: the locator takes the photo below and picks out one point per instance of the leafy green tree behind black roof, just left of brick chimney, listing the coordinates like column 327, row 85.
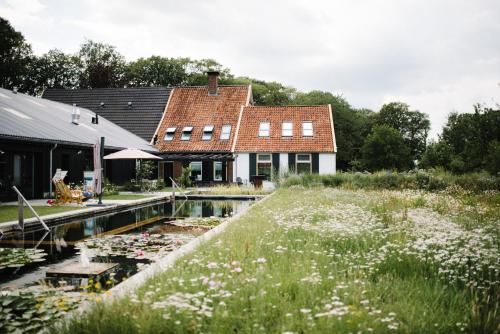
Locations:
column 157, row 71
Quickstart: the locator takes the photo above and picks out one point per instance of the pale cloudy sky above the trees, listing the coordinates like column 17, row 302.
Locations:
column 438, row 56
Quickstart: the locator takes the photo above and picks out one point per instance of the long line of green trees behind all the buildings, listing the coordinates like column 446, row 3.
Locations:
column 395, row 137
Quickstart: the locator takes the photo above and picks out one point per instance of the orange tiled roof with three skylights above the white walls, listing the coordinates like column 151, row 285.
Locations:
column 322, row 140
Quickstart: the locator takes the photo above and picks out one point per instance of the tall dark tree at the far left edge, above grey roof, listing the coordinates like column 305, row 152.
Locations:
column 15, row 55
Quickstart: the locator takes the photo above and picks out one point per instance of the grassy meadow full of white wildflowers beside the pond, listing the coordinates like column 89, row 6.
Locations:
column 323, row 260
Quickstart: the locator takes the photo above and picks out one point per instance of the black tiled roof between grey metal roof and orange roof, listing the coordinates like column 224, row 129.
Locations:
column 141, row 117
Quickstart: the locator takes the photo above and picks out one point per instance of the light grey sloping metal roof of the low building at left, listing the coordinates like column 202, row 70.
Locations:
column 29, row 118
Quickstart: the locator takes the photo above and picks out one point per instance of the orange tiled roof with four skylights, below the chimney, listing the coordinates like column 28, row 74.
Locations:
column 193, row 107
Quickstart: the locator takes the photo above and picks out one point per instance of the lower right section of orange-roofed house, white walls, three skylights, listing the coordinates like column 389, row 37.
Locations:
column 300, row 139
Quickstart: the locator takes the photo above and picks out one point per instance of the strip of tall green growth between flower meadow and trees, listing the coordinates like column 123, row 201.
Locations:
column 422, row 180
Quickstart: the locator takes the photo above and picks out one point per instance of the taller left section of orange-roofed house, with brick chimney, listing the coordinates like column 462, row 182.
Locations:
column 198, row 129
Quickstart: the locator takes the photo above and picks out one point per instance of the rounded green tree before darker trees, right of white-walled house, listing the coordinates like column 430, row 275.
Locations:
column 385, row 148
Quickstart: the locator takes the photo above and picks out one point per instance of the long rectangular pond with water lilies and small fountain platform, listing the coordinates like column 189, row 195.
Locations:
column 120, row 243
